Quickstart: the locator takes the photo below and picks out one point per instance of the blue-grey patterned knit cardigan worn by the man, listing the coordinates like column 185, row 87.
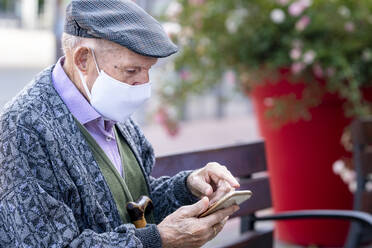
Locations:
column 52, row 192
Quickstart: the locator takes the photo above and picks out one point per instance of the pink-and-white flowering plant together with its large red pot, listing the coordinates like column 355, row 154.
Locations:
column 306, row 66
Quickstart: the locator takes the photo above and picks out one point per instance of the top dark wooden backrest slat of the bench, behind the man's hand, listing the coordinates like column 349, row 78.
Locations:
column 244, row 160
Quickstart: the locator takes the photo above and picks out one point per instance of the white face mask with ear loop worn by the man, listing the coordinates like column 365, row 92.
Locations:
column 113, row 99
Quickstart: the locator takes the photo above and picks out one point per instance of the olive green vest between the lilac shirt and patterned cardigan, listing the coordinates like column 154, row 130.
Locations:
column 123, row 190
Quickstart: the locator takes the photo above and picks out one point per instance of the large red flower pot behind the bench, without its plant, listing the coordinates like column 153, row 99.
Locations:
column 300, row 157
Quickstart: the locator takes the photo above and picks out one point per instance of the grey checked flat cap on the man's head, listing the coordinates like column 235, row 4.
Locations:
column 120, row 21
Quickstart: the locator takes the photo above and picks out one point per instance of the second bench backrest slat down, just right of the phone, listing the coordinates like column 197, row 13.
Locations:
column 261, row 197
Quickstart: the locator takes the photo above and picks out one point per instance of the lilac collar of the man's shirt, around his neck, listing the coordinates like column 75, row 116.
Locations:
column 75, row 101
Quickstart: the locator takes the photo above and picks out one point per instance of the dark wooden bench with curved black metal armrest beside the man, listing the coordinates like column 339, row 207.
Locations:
column 248, row 163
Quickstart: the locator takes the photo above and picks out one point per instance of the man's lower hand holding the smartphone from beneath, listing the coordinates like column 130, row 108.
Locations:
column 183, row 228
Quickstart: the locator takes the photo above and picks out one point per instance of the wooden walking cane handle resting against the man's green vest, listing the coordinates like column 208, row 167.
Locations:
column 137, row 210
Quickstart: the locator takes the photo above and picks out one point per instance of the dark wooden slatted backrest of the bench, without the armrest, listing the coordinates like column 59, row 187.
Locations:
column 247, row 162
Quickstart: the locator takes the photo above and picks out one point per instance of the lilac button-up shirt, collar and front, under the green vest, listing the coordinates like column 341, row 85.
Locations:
column 101, row 130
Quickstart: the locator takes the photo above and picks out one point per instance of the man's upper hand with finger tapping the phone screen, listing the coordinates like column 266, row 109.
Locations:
column 213, row 181
